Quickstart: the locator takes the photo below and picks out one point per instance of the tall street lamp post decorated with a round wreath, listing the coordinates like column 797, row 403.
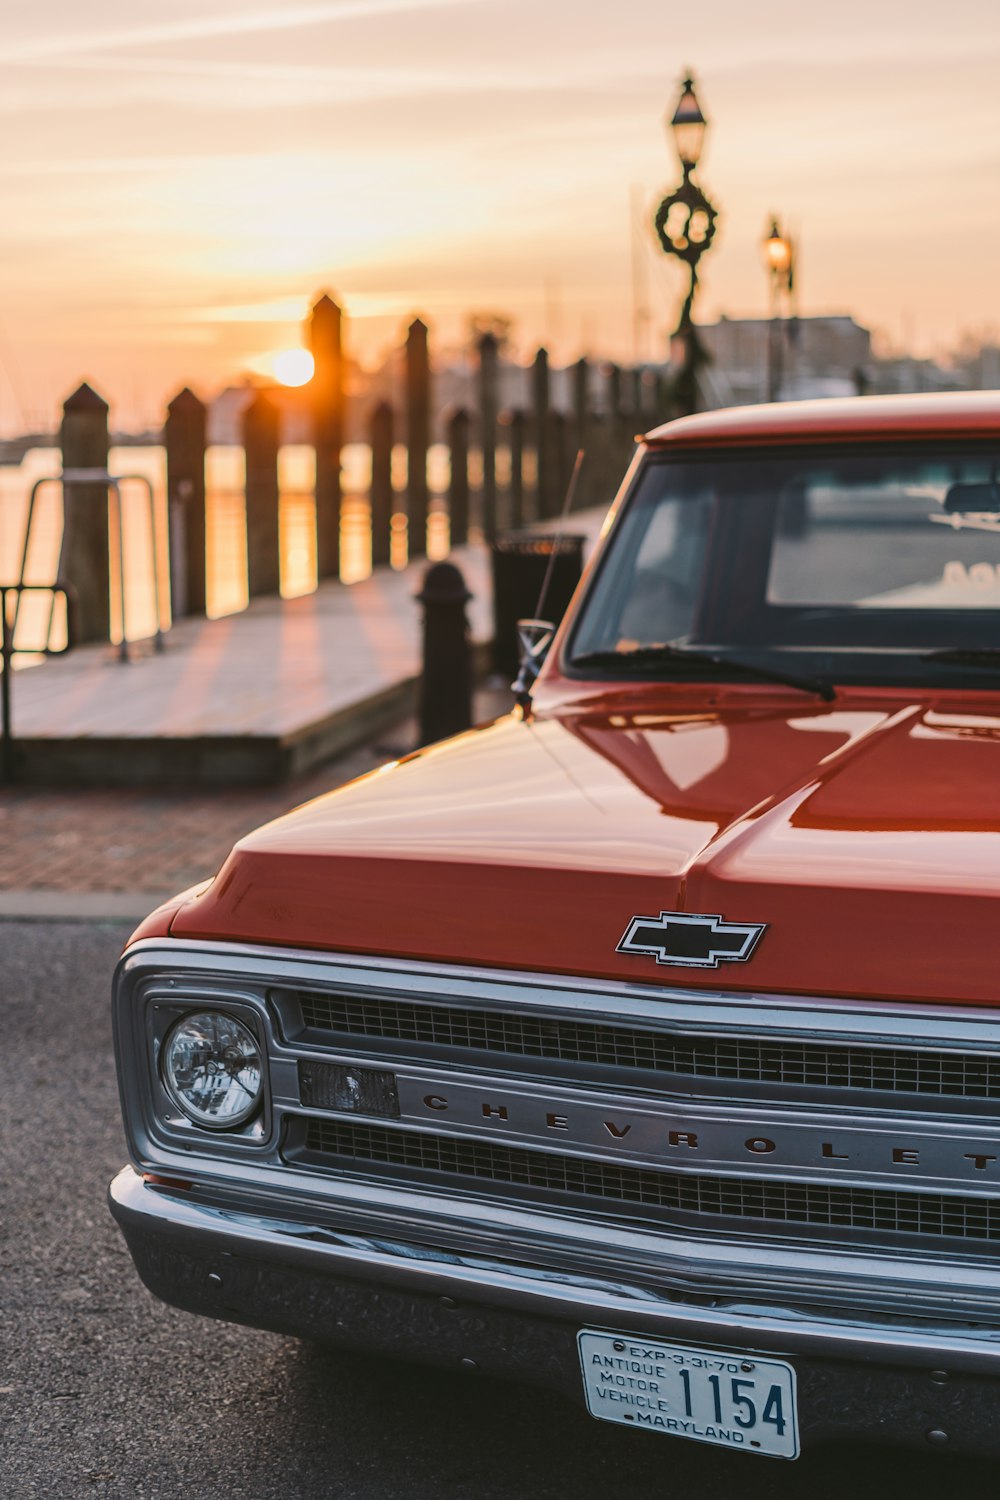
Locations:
column 686, row 227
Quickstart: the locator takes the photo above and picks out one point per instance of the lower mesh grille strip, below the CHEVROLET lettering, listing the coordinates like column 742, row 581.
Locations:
column 645, row 1193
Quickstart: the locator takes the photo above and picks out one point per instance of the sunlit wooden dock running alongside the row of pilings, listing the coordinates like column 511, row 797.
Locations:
column 245, row 700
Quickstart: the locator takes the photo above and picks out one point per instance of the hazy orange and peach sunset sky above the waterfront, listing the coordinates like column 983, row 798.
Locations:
column 181, row 181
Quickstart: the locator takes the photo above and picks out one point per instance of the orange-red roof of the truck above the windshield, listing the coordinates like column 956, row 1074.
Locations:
column 863, row 419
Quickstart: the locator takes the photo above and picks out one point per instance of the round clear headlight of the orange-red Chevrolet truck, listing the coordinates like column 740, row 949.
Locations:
column 214, row 1070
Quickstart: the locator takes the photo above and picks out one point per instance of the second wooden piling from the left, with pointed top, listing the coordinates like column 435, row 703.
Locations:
column 185, row 439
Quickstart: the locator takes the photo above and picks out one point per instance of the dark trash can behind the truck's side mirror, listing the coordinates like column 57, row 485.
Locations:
column 521, row 563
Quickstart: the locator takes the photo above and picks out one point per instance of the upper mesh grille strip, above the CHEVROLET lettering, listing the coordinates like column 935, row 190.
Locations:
column 942, row 1073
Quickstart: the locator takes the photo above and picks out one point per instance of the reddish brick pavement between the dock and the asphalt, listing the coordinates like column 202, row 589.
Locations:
column 139, row 841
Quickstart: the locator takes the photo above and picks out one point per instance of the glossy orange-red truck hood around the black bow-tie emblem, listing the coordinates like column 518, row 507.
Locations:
column 866, row 836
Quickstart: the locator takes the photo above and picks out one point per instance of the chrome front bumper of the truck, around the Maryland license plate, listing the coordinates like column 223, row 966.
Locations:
column 893, row 1381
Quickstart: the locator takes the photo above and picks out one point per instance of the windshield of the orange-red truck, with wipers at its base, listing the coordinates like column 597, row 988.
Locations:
column 851, row 565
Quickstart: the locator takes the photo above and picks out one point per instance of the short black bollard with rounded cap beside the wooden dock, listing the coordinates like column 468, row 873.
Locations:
column 446, row 685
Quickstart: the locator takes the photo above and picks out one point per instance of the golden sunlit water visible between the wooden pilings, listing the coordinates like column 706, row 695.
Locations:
column 226, row 529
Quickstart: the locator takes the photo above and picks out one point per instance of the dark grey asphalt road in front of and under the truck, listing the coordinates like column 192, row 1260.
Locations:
column 106, row 1393
